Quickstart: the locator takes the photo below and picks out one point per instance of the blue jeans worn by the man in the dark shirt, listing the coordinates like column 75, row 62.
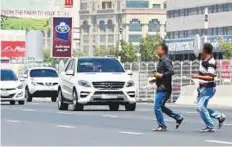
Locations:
column 159, row 107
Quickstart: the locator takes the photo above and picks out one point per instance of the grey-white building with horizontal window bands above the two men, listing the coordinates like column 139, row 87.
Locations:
column 186, row 19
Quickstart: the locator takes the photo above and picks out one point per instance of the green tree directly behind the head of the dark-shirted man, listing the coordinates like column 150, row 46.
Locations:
column 147, row 45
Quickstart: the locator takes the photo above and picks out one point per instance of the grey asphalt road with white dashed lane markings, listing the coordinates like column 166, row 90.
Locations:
column 40, row 124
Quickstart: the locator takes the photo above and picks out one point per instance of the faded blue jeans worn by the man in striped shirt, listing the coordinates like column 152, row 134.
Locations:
column 204, row 95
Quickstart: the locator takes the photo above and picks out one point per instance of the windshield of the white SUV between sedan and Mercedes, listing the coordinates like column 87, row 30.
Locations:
column 43, row 73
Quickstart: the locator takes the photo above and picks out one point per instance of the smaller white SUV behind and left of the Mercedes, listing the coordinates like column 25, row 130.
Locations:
column 41, row 82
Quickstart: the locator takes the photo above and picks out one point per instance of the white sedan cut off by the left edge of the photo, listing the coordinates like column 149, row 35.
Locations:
column 11, row 88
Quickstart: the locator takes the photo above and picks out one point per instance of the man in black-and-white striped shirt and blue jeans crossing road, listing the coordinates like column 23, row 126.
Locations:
column 206, row 89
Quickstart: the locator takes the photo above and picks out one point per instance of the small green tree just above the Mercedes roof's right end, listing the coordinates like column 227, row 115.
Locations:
column 128, row 52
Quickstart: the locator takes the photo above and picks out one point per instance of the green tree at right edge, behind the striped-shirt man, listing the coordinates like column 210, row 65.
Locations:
column 226, row 47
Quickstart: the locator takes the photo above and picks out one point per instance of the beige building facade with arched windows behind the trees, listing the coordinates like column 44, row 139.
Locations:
column 102, row 20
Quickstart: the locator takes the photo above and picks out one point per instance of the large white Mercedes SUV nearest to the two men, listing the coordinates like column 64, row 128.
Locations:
column 95, row 81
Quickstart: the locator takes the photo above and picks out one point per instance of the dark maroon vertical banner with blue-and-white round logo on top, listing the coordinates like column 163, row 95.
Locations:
column 62, row 37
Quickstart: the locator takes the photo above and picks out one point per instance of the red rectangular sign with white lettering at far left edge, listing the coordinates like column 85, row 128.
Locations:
column 13, row 48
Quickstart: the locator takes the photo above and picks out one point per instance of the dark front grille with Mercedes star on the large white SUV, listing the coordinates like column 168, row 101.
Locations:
column 108, row 85
